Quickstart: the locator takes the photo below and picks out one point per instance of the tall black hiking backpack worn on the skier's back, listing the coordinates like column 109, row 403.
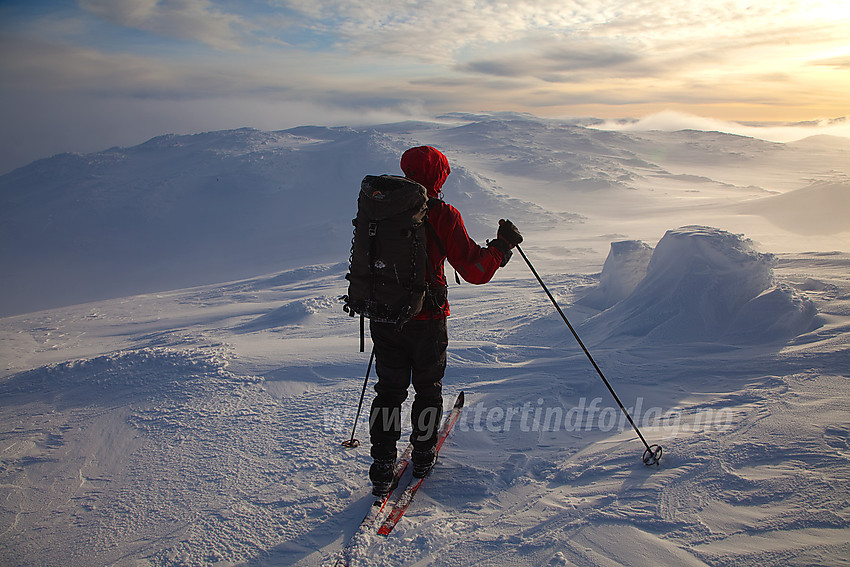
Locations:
column 388, row 264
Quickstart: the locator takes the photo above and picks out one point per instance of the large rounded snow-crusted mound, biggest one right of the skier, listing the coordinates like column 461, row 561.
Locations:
column 703, row 284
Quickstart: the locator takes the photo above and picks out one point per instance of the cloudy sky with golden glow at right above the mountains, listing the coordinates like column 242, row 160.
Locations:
column 82, row 75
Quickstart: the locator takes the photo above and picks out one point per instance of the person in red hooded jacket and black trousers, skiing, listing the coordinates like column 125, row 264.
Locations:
column 417, row 352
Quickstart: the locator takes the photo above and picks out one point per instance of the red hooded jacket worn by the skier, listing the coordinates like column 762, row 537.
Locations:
column 475, row 264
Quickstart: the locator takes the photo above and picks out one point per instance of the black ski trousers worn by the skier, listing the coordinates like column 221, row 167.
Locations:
column 415, row 354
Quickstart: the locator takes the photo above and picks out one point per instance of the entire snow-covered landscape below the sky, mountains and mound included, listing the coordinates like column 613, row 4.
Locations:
column 202, row 426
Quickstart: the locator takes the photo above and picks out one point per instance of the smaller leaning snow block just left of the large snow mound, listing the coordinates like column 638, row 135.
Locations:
column 623, row 270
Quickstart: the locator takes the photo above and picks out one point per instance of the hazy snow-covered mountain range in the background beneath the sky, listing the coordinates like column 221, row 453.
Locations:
column 189, row 210
